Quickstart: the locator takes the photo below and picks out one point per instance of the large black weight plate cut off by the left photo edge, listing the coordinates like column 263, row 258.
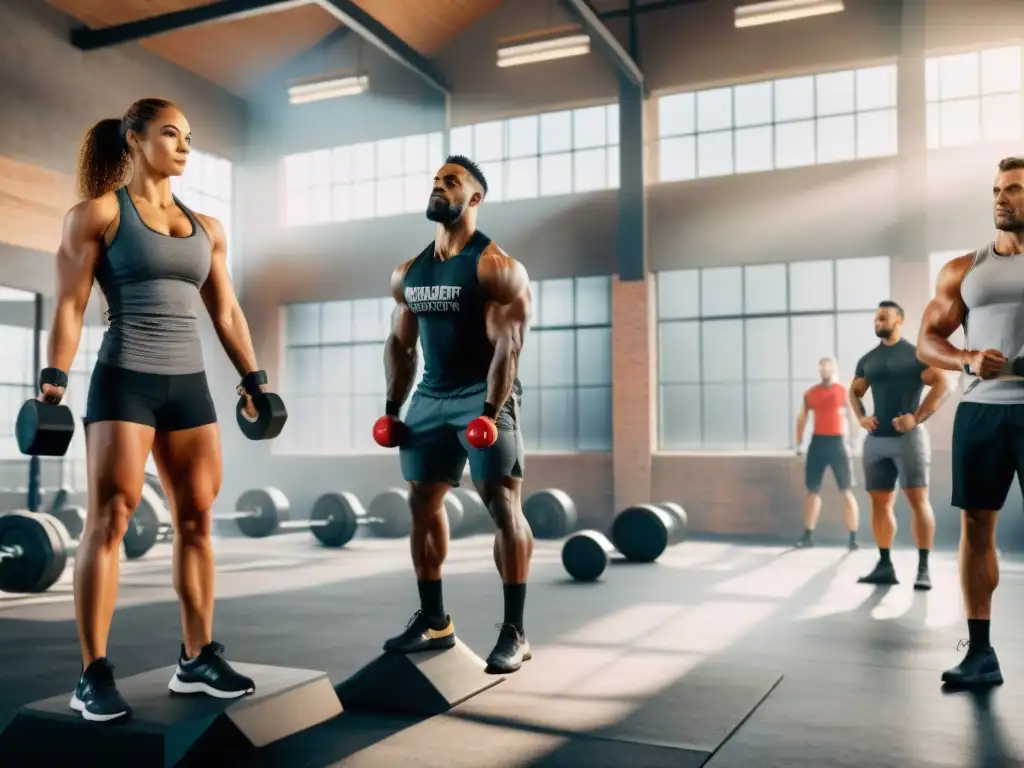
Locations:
column 40, row 558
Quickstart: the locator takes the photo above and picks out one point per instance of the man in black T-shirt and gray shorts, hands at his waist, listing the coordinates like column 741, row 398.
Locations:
column 898, row 445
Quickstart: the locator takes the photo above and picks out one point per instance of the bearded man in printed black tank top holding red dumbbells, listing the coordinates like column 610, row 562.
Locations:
column 467, row 304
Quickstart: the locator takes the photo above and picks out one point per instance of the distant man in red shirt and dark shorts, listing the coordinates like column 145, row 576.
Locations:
column 829, row 449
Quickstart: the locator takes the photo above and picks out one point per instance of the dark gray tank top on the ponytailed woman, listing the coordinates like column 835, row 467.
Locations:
column 151, row 283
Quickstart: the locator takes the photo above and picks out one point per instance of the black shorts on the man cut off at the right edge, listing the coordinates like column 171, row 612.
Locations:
column 989, row 451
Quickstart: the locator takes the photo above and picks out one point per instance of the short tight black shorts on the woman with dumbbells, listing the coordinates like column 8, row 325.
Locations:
column 166, row 403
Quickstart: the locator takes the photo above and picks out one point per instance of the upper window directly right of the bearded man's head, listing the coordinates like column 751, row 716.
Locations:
column 559, row 153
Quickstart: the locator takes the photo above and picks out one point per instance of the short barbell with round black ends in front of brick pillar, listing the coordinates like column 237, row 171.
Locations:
column 639, row 534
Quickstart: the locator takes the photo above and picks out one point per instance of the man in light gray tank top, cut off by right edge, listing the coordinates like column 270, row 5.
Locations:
column 985, row 293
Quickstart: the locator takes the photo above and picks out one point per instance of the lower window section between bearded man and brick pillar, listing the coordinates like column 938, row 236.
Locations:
column 566, row 367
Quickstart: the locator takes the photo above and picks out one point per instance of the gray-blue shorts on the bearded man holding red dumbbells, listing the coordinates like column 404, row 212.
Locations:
column 437, row 450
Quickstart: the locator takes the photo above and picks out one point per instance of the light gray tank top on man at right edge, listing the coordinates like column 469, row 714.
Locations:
column 994, row 293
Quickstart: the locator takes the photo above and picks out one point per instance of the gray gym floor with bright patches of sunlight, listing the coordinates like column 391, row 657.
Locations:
column 719, row 655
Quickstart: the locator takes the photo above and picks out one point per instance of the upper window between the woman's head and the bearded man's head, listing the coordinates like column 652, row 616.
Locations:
column 362, row 182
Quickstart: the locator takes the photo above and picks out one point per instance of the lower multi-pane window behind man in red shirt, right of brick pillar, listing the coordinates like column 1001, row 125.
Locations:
column 740, row 346
